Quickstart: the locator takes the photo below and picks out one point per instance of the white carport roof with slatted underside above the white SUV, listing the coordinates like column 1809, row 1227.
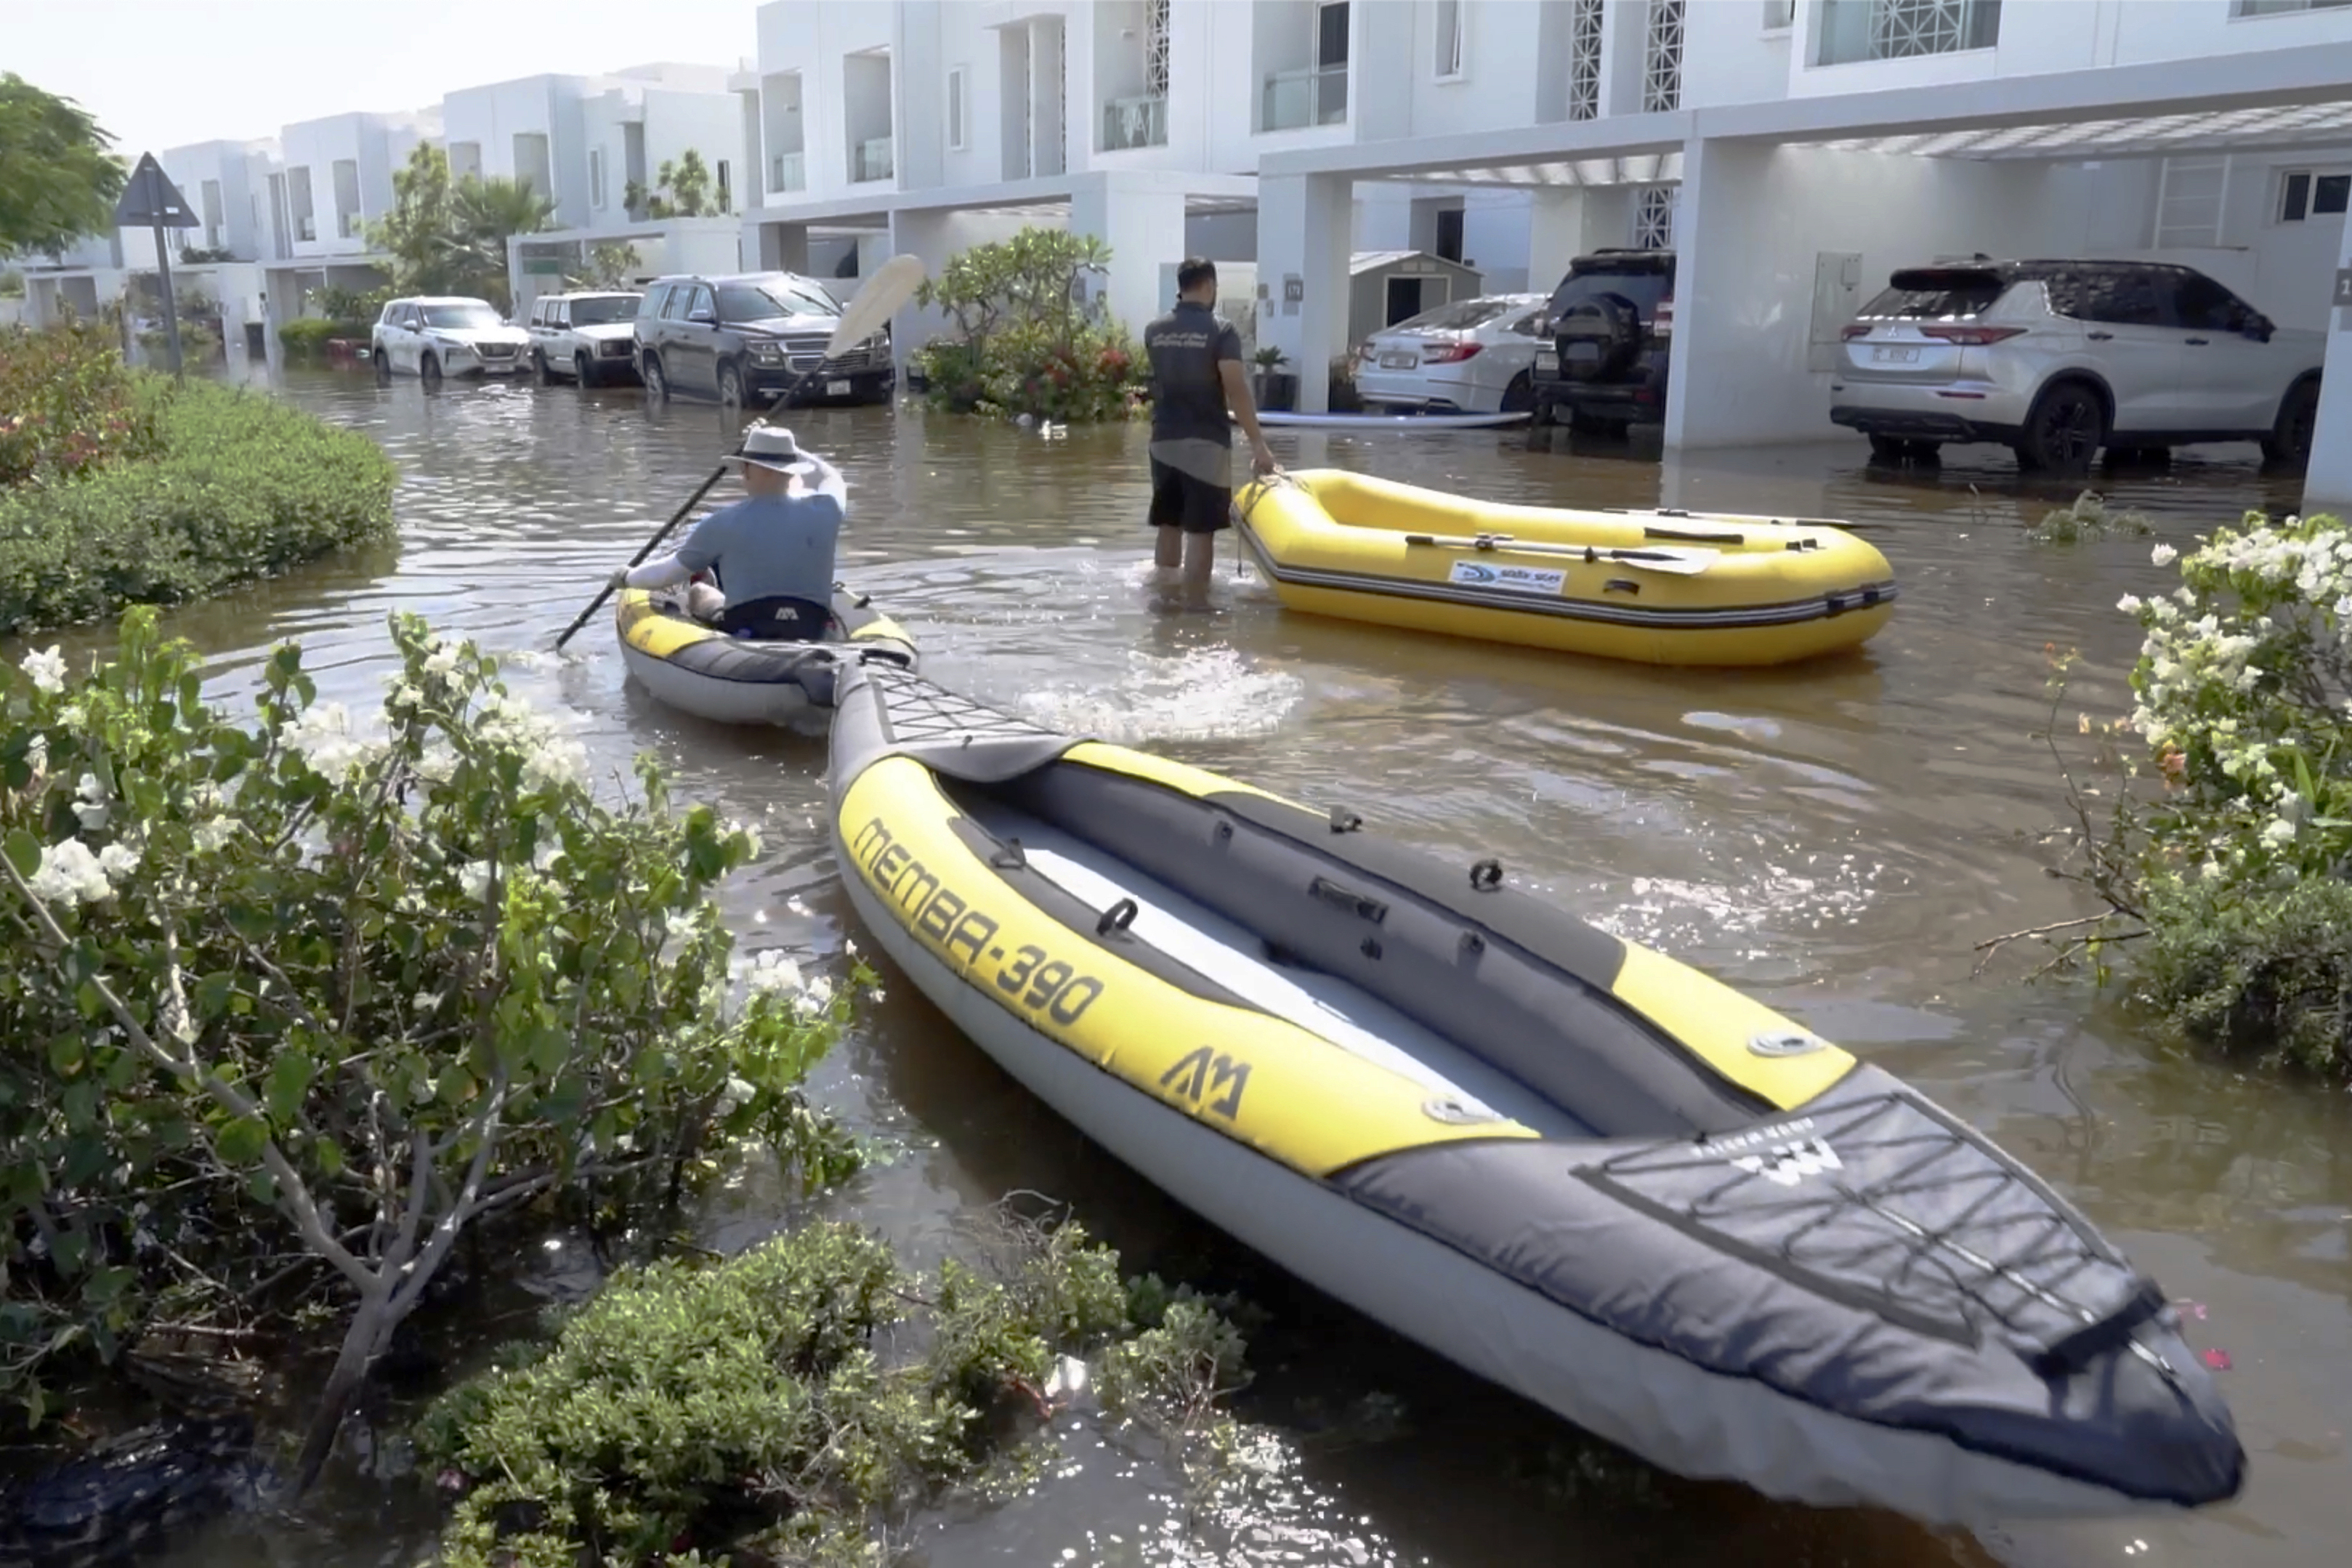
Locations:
column 2261, row 98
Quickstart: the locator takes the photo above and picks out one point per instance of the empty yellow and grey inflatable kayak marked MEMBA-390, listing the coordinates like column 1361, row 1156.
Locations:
column 1561, row 1160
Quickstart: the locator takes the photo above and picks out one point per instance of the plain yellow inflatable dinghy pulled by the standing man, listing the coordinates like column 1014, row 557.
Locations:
column 1662, row 589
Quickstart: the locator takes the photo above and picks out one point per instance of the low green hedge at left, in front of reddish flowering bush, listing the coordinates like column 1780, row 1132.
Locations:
column 243, row 488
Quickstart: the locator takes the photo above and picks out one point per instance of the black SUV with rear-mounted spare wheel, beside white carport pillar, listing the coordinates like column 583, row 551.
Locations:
column 1612, row 323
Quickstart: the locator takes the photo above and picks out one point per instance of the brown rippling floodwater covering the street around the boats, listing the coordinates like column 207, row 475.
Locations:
column 1833, row 838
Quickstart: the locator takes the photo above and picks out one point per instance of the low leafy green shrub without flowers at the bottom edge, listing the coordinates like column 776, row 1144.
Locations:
column 775, row 1405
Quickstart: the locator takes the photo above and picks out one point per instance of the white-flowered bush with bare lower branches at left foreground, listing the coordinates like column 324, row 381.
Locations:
column 288, row 1010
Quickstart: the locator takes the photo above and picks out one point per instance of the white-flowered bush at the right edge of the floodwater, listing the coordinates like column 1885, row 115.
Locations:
column 2238, row 869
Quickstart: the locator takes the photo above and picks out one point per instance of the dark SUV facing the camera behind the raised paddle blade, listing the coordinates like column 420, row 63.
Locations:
column 754, row 337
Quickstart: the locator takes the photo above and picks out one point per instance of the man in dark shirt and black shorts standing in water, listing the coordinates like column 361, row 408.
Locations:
column 1196, row 377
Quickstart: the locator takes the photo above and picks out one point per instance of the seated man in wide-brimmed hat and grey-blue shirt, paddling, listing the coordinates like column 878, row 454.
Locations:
column 773, row 551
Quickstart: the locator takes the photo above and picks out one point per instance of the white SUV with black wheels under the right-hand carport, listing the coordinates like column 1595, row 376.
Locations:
column 2062, row 359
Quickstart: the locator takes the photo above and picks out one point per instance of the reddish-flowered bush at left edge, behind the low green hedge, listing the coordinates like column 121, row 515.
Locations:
column 67, row 406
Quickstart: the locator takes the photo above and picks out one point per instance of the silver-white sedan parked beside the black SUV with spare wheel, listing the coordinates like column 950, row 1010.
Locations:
column 1476, row 356
